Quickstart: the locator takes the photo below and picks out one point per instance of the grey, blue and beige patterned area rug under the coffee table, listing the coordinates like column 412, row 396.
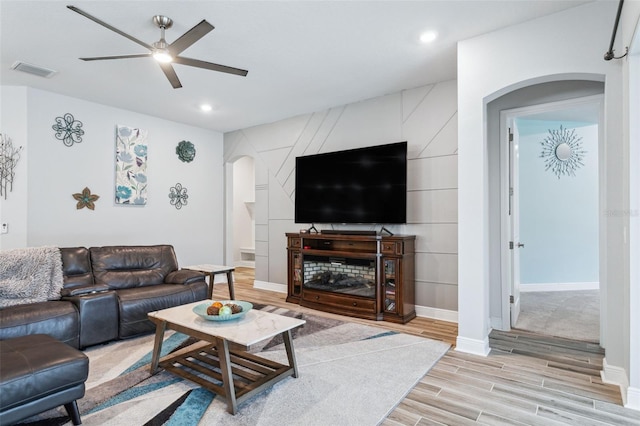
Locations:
column 350, row 374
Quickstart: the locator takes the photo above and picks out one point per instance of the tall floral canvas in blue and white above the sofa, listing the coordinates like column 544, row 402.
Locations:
column 131, row 166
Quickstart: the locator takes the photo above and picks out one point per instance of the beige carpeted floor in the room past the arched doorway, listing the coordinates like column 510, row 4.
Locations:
column 569, row 314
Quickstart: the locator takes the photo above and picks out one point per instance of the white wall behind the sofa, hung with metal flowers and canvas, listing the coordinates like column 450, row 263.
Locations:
column 47, row 211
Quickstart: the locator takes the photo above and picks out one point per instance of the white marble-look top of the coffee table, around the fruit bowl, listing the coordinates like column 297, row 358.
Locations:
column 254, row 327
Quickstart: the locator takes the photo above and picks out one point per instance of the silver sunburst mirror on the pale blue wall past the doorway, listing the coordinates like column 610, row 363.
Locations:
column 562, row 151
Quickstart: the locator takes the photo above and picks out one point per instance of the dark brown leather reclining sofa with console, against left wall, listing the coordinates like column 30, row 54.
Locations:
column 107, row 294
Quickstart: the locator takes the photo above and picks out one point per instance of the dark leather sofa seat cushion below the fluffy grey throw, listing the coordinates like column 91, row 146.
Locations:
column 58, row 319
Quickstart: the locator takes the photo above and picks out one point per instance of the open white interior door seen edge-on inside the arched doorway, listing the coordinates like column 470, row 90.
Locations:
column 514, row 218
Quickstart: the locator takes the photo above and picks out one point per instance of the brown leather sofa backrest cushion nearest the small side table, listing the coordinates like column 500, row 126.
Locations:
column 132, row 266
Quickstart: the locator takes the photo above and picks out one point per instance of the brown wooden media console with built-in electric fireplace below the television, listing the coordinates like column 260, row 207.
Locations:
column 365, row 276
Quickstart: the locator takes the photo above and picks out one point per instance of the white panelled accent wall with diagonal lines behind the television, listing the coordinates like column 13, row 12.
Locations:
column 425, row 117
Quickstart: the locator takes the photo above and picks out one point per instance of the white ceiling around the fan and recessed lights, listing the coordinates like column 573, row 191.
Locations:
column 302, row 56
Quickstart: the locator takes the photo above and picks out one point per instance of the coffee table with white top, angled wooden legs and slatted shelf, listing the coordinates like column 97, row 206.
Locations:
column 221, row 362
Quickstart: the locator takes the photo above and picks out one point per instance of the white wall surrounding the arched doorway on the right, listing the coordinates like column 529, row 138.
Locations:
column 545, row 49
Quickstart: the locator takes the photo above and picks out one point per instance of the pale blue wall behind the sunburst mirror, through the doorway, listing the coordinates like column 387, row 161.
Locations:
column 558, row 215
